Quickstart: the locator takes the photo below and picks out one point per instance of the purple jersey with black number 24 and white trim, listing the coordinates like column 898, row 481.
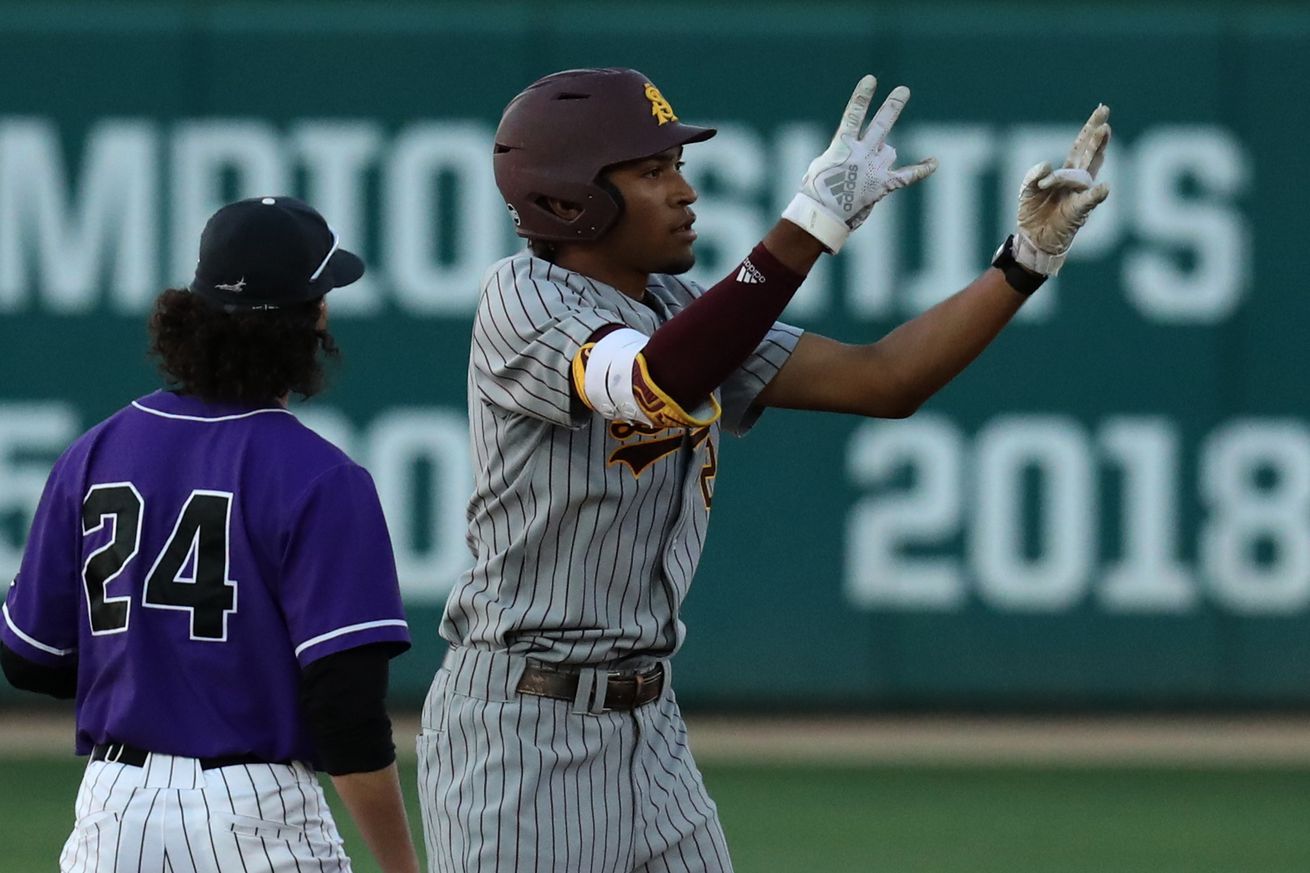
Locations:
column 193, row 558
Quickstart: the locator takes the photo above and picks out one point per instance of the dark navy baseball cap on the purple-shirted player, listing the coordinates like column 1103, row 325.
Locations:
column 269, row 252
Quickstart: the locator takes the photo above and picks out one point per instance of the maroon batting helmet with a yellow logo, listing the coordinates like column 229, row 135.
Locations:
column 561, row 132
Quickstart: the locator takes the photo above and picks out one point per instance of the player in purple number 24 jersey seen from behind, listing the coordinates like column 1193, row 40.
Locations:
column 215, row 585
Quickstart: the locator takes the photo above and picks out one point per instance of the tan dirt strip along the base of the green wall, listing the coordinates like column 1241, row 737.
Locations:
column 1239, row 740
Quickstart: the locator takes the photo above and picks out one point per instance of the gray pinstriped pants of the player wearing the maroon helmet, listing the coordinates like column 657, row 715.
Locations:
column 513, row 783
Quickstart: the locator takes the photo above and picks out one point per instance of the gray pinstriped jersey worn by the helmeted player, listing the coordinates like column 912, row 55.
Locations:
column 586, row 533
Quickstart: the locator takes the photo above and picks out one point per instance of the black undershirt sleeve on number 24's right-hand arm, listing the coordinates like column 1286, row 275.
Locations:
column 344, row 698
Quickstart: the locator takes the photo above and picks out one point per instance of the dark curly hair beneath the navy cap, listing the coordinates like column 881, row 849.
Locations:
column 239, row 357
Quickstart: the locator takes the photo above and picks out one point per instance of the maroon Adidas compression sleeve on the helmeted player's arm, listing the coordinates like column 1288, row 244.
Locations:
column 695, row 352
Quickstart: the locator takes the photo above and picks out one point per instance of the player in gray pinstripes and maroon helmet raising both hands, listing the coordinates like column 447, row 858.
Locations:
column 599, row 383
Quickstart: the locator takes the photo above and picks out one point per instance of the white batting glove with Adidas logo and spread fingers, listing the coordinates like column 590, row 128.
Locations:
column 844, row 183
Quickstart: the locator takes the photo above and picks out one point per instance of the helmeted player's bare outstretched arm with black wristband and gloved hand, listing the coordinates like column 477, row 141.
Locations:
column 894, row 377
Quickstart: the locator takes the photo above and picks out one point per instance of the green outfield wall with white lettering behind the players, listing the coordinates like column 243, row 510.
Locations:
column 1110, row 509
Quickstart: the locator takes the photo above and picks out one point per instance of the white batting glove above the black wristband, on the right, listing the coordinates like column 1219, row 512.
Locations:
column 1055, row 204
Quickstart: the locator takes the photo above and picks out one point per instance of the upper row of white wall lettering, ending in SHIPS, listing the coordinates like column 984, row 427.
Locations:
column 422, row 208
